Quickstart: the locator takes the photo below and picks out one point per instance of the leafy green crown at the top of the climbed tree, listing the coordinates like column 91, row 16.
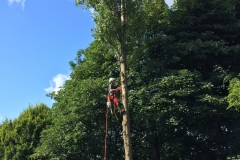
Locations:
column 109, row 26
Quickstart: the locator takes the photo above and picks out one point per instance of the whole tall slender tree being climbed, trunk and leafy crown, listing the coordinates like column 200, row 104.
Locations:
column 117, row 24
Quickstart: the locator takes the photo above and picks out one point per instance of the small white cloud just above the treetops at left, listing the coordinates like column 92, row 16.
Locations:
column 57, row 82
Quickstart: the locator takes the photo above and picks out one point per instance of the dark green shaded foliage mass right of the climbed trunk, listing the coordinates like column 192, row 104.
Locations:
column 180, row 83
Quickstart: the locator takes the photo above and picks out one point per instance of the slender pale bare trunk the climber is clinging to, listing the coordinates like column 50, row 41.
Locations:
column 126, row 120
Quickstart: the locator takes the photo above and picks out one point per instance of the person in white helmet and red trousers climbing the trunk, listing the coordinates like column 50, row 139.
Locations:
column 111, row 94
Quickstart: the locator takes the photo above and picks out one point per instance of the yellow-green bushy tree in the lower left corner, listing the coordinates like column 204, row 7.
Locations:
column 19, row 138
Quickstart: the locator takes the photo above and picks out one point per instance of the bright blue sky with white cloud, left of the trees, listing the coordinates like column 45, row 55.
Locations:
column 37, row 40
